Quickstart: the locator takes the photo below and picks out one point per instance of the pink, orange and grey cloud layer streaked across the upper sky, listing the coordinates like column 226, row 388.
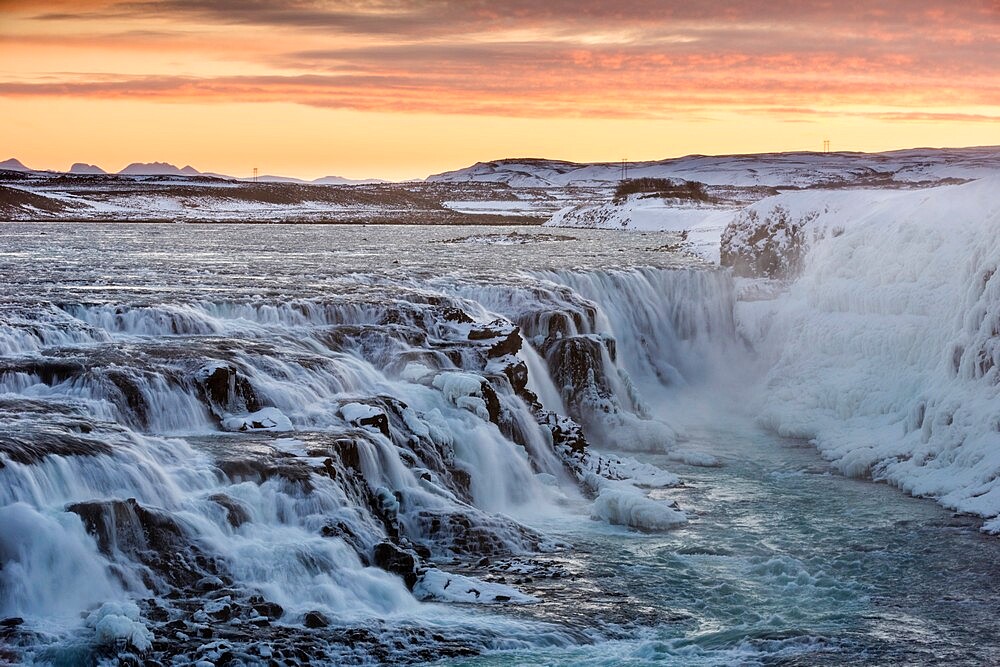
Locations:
column 629, row 58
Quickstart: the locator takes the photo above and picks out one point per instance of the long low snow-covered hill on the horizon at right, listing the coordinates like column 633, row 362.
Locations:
column 801, row 169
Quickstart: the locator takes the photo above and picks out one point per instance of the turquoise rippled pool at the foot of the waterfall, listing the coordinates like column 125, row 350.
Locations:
column 785, row 562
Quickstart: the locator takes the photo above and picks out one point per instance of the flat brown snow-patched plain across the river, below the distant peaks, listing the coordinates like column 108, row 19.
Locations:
column 200, row 198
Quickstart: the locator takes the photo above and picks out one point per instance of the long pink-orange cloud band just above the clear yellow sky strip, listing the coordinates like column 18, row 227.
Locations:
column 549, row 96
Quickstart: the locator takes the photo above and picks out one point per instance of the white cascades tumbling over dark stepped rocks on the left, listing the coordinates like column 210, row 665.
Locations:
column 200, row 465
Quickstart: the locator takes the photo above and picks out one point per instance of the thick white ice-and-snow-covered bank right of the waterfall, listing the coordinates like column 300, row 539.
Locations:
column 885, row 351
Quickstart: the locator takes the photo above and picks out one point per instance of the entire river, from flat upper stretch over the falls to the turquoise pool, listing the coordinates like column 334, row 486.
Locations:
column 351, row 445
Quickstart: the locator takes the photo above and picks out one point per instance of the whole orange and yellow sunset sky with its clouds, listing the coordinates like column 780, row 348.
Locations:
column 364, row 88
